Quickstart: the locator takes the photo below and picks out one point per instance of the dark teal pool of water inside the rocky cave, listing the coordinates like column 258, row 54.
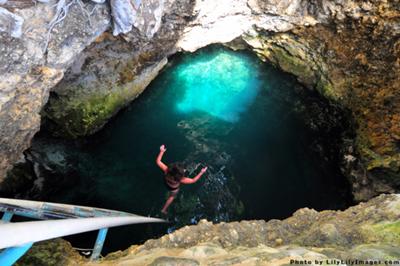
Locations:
column 227, row 110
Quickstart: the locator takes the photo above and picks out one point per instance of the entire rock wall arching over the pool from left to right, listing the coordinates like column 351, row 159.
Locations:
column 347, row 50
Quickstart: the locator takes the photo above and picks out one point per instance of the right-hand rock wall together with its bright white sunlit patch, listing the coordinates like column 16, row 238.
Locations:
column 346, row 50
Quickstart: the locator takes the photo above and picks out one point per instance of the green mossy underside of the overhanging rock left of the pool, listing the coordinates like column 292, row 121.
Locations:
column 81, row 111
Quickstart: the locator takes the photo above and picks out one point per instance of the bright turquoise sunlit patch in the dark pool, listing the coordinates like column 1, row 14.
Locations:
column 222, row 84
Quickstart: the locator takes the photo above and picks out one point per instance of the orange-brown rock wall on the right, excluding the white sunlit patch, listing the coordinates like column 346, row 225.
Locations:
column 352, row 57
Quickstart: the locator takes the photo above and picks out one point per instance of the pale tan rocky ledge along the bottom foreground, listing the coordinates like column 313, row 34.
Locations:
column 368, row 231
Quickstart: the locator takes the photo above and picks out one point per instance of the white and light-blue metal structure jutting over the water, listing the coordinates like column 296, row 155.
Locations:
column 57, row 220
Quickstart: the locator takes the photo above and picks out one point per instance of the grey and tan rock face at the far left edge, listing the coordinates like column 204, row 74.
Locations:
column 27, row 72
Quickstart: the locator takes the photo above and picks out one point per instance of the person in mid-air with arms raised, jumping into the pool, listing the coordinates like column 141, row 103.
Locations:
column 174, row 176
